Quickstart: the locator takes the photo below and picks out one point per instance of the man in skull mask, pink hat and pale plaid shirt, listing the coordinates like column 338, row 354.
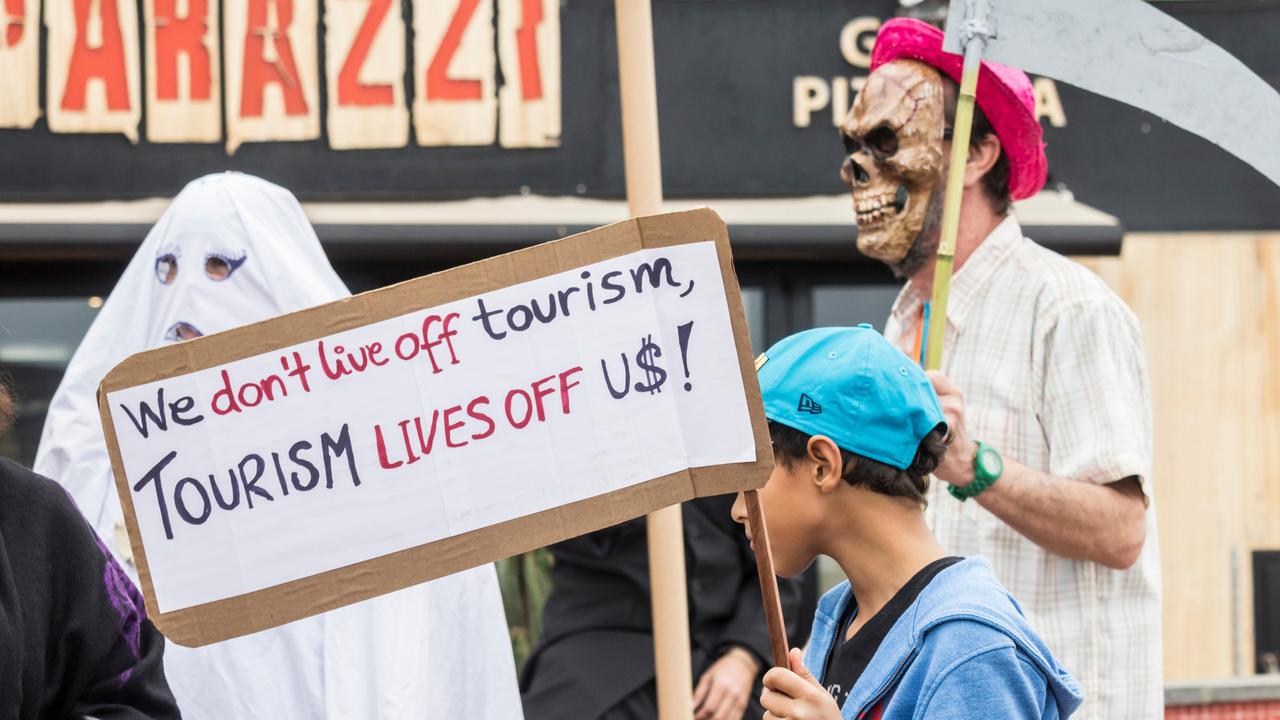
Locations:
column 1049, row 472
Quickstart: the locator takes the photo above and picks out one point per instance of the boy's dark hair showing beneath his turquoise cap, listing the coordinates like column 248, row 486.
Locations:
column 790, row 446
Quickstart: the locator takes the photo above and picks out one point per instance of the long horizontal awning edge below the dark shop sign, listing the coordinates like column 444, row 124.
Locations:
column 799, row 229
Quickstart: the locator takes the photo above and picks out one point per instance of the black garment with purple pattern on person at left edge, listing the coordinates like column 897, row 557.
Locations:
column 75, row 640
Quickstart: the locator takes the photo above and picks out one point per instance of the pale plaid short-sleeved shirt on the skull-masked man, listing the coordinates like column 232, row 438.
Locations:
column 1054, row 376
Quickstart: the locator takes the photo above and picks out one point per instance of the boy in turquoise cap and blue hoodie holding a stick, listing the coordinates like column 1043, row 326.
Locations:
column 857, row 430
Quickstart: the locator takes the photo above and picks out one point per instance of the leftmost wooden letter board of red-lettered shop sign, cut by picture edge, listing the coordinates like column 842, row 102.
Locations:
column 20, row 63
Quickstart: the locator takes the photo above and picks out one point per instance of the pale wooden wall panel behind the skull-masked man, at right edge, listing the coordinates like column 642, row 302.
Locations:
column 1209, row 307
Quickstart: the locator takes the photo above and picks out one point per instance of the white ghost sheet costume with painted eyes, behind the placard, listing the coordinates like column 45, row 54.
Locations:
column 438, row 650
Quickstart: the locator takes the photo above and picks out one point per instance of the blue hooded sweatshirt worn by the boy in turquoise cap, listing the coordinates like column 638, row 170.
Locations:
column 962, row 650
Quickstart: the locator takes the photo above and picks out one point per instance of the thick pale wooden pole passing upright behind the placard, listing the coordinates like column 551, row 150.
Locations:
column 639, row 93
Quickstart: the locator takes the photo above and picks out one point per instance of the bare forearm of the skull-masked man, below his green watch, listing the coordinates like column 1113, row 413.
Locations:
column 1104, row 523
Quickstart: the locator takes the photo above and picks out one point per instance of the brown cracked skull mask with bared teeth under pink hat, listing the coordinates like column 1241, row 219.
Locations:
column 894, row 156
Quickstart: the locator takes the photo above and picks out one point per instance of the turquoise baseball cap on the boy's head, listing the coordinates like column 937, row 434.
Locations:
column 853, row 386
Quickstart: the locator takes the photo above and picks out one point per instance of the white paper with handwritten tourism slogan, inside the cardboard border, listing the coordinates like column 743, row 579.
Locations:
column 525, row 400
